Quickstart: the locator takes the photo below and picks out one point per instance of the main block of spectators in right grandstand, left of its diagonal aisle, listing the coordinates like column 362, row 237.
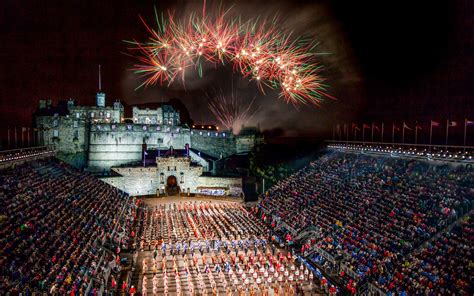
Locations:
column 370, row 212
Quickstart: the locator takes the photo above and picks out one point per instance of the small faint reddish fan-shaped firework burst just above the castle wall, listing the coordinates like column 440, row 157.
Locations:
column 230, row 111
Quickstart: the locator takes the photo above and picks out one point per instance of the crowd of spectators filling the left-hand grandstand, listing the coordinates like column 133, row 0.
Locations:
column 54, row 223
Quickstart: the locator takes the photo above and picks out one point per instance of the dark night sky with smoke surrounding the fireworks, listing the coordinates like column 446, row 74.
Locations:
column 389, row 60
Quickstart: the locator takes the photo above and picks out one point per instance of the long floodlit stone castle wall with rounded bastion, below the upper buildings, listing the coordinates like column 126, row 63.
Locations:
column 100, row 146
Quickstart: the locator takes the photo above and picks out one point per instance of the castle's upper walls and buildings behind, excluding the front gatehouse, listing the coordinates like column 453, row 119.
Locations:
column 98, row 137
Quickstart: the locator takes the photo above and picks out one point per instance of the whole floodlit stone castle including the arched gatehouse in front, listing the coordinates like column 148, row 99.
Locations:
column 150, row 150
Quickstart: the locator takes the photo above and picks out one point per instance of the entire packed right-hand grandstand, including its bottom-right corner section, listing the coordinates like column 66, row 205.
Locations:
column 376, row 222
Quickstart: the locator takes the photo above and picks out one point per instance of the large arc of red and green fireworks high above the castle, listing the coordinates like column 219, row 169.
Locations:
column 256, row 49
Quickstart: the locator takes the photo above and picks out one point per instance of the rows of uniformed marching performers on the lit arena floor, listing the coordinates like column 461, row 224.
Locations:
column 199, row 248
